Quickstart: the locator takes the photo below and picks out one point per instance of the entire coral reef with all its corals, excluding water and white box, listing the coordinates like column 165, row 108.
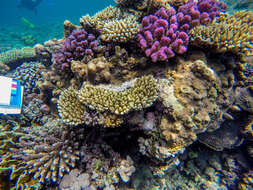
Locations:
column 98, row 114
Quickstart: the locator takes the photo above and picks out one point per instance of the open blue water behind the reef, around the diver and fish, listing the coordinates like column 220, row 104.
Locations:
column 48, row 18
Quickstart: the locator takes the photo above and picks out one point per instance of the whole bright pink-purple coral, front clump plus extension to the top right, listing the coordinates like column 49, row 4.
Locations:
column 166, row 33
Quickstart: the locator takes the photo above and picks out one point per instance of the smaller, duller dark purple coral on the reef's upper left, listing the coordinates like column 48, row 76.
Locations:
column 77, row 46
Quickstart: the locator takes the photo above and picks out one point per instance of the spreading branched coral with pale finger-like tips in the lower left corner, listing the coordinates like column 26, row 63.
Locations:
column 37, row 154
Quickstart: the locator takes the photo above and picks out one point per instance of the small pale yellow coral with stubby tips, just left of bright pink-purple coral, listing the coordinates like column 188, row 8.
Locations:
column 121, row 30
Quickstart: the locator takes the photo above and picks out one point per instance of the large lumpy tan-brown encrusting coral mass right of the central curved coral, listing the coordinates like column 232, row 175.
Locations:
column 191, row 107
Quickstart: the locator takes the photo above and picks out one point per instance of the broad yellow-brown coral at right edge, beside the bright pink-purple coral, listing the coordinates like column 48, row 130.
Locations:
column 232, row 33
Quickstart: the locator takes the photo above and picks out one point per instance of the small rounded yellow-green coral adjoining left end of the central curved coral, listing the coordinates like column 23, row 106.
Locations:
column 69, row 107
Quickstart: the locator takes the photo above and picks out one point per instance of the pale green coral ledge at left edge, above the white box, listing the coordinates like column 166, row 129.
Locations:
column 9, row 59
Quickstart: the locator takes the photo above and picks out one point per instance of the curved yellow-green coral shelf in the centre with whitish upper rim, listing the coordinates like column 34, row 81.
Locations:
column 120, row 100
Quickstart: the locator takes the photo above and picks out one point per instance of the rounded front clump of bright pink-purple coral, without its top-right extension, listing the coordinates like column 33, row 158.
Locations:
column 159, row 36
